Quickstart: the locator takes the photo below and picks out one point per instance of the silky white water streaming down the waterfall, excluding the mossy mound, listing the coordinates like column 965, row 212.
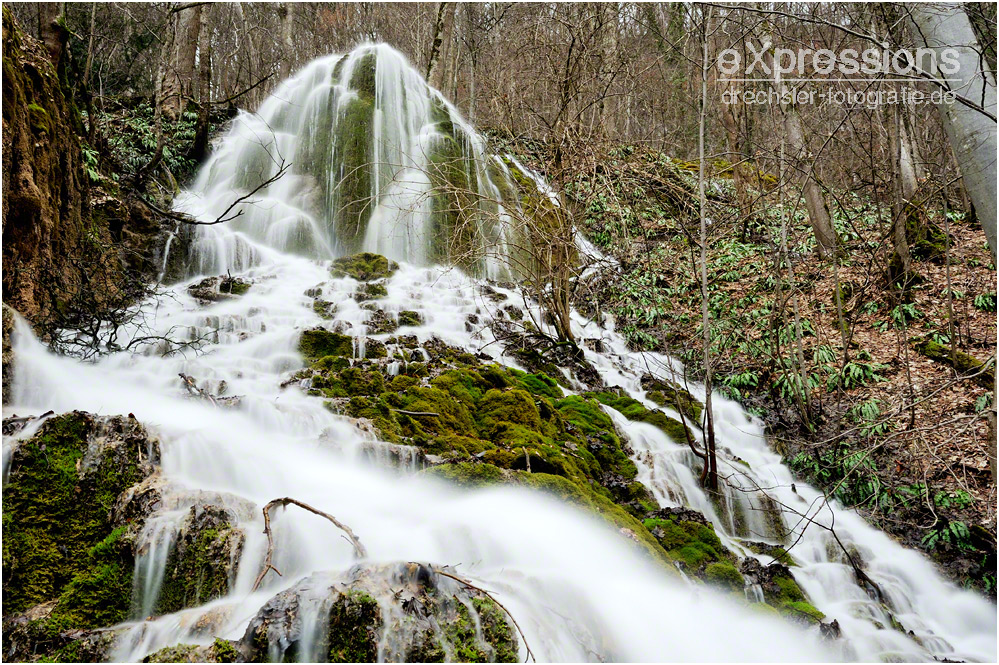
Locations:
column 578, row 589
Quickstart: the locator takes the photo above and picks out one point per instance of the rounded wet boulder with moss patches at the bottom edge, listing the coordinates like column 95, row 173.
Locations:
column 431, row 618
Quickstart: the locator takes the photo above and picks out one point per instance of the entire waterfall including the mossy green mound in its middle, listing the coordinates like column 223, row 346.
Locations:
column 587, row 520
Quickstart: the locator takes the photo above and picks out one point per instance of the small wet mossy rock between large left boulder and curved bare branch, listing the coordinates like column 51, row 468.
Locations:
column 202, row 564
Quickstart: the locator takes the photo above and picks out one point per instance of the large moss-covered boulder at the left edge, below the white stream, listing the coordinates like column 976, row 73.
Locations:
column 60, row 542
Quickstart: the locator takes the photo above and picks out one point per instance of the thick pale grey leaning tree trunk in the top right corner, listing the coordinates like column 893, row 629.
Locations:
column 972, row 133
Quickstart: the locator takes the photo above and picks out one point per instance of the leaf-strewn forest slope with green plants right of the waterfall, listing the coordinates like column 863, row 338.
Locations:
column 883, row 428
